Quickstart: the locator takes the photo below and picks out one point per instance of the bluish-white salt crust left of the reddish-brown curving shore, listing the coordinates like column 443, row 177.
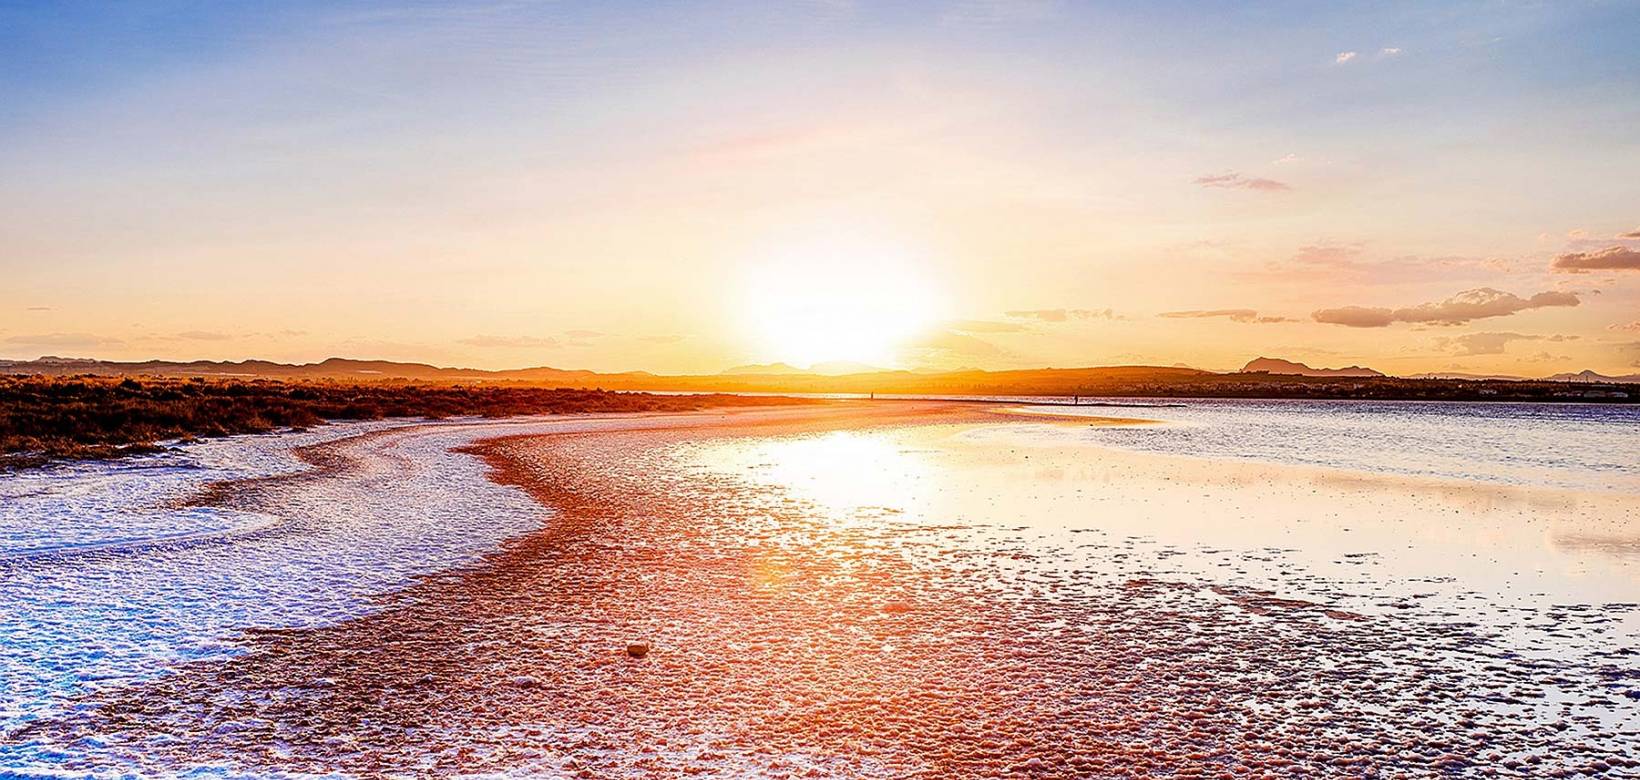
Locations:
column 107, row 576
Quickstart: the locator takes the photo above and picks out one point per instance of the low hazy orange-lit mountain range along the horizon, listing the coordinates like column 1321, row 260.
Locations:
column 767, row 378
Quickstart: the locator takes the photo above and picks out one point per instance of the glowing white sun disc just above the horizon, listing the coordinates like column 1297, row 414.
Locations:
column 837, row 304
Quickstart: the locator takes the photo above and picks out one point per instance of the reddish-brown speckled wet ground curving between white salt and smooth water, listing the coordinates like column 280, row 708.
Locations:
column 795, row 637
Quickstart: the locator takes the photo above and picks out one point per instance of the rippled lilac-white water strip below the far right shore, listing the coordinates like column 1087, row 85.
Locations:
column 1560, row 445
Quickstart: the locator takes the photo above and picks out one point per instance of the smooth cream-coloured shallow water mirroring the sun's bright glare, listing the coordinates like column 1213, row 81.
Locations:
column 1373, row 537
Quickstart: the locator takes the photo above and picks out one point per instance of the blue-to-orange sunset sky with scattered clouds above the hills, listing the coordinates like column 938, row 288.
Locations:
column 685, row 188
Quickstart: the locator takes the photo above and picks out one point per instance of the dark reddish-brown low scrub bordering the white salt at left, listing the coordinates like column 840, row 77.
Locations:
column 55, row 419
